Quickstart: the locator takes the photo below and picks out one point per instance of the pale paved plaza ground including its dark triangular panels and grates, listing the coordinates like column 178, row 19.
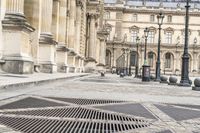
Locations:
column 141, row 107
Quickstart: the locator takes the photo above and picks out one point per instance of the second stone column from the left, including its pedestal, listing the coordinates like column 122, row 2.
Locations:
column 47, row 44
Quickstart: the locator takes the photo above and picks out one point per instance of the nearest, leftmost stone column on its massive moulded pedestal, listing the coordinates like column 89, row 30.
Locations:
column 16, row 31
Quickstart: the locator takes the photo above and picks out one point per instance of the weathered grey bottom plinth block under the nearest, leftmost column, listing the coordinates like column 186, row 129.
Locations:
column 18, row 66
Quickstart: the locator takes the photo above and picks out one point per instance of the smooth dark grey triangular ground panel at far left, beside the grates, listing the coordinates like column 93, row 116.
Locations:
column 30, row 103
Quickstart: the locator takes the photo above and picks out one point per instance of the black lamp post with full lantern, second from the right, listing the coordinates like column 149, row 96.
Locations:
column 160, row 18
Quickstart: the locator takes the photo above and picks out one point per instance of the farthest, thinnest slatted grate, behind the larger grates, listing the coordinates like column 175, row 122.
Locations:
column 85, row 101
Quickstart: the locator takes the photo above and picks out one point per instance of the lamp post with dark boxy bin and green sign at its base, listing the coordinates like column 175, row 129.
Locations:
column 145, row 67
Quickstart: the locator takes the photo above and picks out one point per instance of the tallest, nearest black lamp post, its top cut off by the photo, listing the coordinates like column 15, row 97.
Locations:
column 185, row 58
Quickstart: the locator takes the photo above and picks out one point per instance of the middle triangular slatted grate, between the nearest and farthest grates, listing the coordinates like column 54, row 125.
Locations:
column 76, row 112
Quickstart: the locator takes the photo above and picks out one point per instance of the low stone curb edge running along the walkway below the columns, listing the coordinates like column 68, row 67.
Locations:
column 39, row 82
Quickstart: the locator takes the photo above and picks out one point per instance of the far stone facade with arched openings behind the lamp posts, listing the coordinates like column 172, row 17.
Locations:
column 127, row 19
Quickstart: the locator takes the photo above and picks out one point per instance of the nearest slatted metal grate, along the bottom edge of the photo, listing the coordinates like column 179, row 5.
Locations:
column 32, row 125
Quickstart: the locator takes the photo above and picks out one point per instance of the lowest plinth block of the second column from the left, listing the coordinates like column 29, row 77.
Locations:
column 48, row 68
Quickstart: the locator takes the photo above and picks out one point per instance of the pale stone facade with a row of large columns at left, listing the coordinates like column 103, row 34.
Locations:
column 52, row 36
